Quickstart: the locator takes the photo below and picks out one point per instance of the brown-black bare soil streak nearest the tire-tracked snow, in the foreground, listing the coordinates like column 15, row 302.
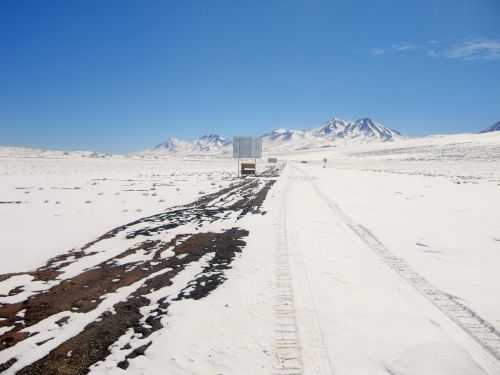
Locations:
column 92, row 345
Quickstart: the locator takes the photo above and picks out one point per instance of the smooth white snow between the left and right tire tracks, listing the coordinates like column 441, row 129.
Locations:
column 369, row 320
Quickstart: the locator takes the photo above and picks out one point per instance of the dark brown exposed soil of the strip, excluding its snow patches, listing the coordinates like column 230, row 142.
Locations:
column 162, row 262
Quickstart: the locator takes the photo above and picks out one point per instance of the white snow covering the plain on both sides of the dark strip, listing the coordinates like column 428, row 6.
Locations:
column 315, row 273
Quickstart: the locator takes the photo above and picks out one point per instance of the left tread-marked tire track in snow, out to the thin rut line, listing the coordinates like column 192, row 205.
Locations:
column 300, row 343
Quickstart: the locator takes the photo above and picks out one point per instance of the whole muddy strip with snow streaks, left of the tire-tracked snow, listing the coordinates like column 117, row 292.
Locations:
column 148, row 256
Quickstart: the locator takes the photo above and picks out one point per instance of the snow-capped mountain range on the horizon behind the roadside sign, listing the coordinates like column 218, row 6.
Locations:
column 329, row 134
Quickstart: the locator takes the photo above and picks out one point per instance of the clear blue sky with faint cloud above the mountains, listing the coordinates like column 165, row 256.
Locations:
column 122, row 76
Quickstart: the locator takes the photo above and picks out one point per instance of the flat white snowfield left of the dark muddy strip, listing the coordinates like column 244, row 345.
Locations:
column 53, row 216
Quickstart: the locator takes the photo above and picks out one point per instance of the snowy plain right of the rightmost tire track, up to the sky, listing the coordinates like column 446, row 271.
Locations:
column 439, row 212
